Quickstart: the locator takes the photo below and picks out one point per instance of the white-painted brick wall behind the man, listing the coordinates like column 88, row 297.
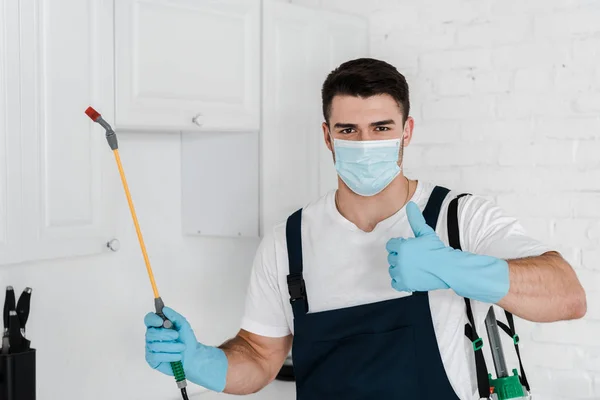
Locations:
column 506, row 97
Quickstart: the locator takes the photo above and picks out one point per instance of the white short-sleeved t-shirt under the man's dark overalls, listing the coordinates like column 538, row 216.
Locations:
column 345, row 266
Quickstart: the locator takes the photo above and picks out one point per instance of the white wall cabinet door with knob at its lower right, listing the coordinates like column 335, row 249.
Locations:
column 188, row 64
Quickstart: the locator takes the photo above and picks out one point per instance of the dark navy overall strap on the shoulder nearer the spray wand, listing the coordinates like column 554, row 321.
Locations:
column 295, row 280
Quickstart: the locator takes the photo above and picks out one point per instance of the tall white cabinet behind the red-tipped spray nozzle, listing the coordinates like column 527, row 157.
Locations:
column 57, row 174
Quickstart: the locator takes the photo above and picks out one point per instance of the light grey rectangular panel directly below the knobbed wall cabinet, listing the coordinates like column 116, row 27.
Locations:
column 219, row 183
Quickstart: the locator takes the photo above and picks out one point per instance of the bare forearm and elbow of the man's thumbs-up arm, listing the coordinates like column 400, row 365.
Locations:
column 544, row 289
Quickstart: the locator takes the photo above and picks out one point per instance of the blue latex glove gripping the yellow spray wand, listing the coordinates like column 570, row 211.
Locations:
column 204, row 365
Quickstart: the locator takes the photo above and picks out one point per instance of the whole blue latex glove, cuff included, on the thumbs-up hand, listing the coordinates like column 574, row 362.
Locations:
column 425, row 263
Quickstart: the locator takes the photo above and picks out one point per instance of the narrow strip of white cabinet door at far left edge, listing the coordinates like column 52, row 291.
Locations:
column 10, row 156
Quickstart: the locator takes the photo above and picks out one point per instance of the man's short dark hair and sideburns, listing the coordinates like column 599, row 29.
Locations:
column 365, row 77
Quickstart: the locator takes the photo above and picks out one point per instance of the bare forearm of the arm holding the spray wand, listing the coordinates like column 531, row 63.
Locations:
column 249, row 371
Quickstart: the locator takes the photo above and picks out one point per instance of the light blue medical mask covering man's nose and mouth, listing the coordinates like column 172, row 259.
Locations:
column 369, row 166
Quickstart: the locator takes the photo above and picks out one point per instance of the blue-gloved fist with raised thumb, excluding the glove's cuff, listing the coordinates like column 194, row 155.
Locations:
column 416, row 263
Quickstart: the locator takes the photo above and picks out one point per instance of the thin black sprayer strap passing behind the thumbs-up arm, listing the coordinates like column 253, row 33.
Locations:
column 483, row 383
